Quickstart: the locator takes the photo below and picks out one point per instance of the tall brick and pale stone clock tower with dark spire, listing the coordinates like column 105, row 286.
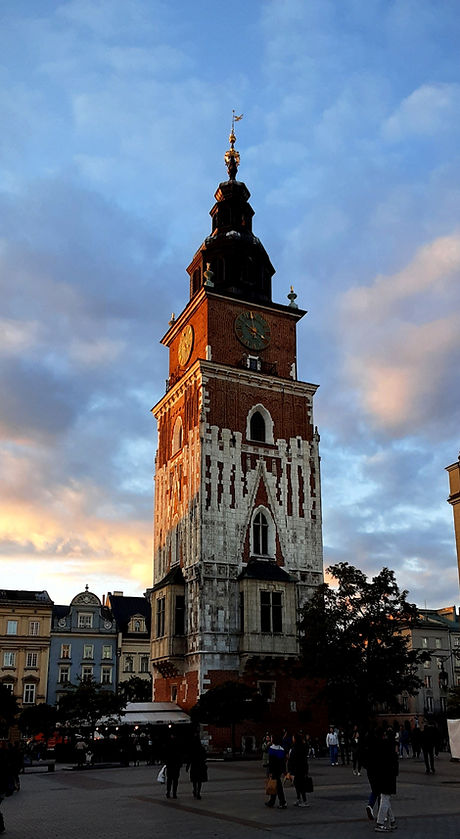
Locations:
column 237, row 523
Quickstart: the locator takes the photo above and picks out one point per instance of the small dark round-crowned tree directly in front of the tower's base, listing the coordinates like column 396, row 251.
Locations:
column 228, row 704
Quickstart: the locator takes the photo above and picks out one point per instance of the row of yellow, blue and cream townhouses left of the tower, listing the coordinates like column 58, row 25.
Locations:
column 45, row 647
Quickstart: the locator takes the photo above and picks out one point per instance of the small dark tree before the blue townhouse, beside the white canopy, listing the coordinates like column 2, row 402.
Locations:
column 87, row 703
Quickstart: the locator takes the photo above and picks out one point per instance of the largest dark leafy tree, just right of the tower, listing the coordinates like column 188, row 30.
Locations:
column 355, row 636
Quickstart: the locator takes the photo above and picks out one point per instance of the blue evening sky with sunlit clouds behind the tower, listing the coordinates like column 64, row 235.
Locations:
column 115, row 117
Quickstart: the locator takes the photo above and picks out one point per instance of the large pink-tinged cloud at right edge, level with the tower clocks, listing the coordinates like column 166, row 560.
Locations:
column 401, row 340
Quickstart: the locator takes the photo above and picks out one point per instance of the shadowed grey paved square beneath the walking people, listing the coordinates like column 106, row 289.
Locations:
column 129, row 803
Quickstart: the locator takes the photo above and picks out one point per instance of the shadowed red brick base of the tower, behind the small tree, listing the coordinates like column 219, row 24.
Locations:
column 293, row 703
